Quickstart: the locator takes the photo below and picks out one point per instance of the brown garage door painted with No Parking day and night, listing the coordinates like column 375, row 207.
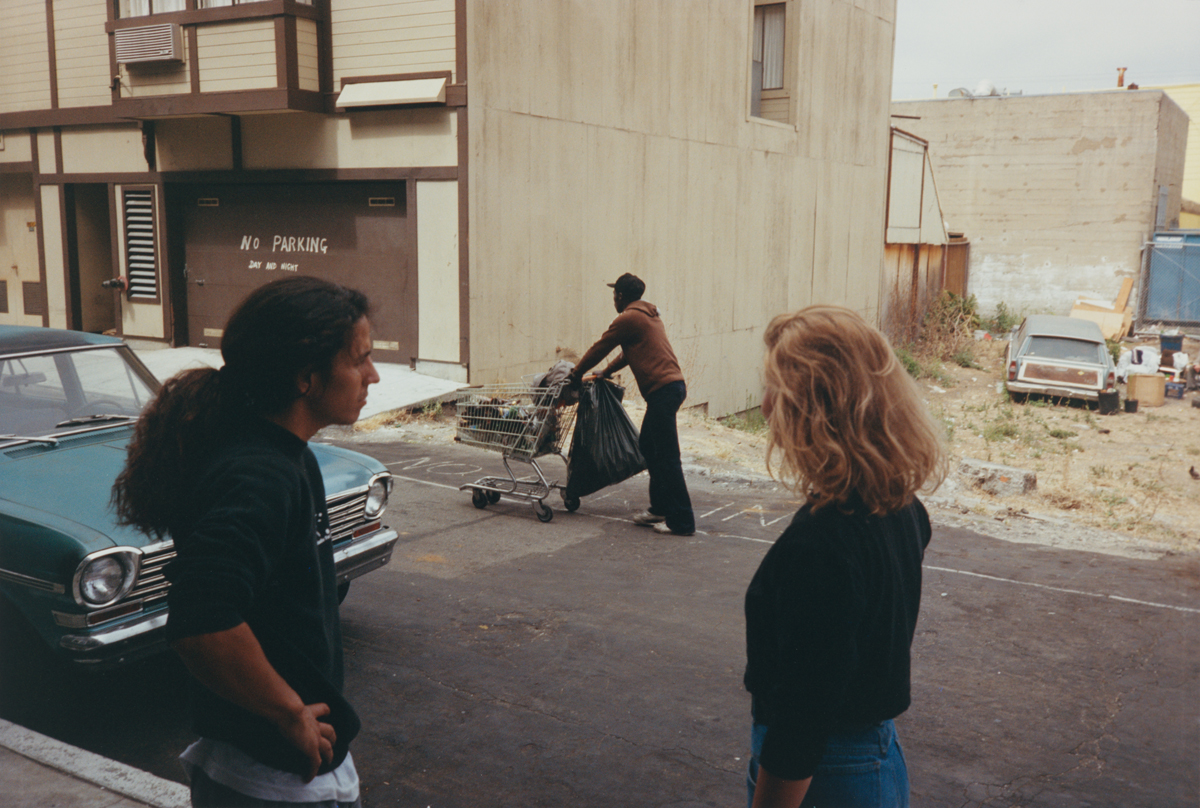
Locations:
column 241, row 237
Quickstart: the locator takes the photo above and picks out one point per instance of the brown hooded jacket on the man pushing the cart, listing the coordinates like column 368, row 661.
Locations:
column 643, row 338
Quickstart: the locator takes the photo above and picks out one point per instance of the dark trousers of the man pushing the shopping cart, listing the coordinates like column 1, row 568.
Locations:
column 659, row 442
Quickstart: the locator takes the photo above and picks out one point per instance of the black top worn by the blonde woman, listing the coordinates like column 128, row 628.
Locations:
column 831, row 617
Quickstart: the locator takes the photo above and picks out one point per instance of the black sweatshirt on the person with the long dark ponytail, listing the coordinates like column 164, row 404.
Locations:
column 255, row 548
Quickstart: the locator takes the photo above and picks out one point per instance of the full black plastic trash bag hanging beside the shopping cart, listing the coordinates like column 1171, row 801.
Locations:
column 604, row 448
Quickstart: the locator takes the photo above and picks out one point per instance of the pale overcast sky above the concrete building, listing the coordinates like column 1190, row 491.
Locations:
column 1043, row 46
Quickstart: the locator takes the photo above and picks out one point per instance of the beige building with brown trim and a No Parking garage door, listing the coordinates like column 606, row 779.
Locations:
column 481, row 169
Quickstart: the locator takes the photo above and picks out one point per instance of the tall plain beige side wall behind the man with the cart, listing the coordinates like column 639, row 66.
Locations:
column 604, row 139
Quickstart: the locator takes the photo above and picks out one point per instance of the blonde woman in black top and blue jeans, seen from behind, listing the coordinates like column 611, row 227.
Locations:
column 832, row 611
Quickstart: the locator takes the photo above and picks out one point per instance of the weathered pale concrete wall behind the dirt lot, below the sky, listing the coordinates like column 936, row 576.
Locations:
column 1057, row 193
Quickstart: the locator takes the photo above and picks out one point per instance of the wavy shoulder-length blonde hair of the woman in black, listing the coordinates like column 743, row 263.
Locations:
column 845, row 416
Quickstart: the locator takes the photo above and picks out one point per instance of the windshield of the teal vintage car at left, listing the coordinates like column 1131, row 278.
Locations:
column 41, row 394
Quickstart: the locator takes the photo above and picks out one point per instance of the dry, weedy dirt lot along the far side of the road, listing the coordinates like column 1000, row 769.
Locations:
column 1117, row 484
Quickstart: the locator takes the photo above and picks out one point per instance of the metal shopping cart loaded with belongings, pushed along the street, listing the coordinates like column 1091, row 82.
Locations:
column 523, row 423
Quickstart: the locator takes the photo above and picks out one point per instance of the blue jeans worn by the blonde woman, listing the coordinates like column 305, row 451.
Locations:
column 862, row 769
